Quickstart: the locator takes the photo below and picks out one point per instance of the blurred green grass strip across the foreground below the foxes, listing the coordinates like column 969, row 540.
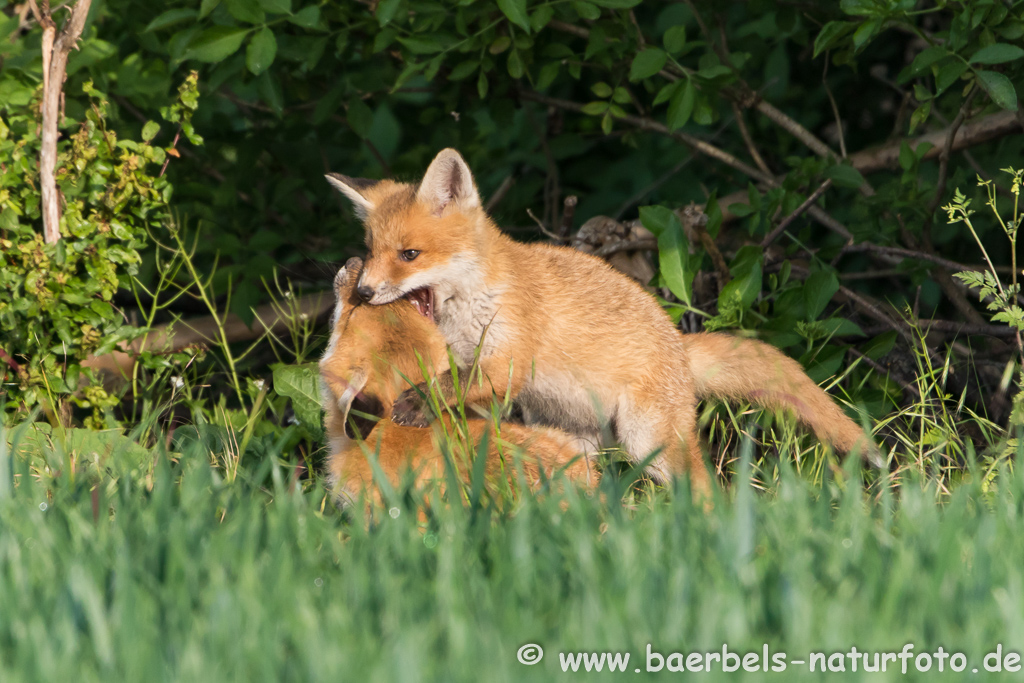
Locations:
column 160, row 570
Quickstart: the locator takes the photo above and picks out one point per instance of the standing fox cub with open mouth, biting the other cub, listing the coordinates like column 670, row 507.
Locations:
column 577, row 345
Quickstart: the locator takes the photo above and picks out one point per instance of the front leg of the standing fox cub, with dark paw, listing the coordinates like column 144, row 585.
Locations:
column 413, row 410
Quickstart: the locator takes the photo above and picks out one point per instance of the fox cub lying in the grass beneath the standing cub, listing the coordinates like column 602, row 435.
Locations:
column 371, row 349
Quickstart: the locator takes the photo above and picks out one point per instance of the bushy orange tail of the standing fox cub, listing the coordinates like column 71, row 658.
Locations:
column 732, row 368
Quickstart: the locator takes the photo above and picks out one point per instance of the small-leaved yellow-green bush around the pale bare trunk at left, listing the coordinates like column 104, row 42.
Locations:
column 57, row 301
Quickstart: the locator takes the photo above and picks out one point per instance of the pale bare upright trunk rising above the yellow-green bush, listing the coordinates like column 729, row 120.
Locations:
column 56, row 49
